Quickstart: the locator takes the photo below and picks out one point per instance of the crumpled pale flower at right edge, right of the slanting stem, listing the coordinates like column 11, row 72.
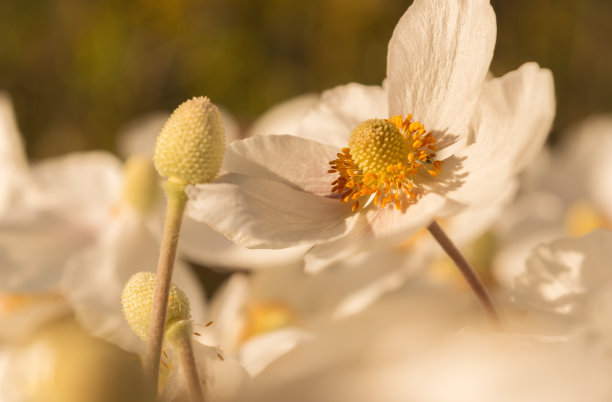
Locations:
column 571, row 281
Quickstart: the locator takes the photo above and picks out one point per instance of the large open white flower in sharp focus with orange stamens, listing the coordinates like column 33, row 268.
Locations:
column 279, row 191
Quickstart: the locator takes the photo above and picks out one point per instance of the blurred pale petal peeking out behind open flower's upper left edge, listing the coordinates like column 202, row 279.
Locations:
column 285, row 117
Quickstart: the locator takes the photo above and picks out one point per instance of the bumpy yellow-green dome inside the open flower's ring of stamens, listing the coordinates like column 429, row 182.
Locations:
column 376, row 144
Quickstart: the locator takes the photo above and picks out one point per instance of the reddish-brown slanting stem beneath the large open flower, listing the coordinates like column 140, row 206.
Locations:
column 468, row 273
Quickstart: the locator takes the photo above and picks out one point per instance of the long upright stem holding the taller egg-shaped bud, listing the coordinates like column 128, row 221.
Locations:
column 177, row 199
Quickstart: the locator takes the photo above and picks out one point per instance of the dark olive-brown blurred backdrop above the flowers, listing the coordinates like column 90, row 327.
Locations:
column 78, row 70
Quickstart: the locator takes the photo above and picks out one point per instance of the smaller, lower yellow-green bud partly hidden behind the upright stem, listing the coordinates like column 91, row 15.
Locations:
column 137, row 303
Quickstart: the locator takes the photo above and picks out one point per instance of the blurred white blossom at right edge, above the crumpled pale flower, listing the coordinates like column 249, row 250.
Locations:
column 565, row 193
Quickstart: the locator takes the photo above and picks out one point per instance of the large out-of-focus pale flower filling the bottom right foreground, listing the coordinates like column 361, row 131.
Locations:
column 418, row 346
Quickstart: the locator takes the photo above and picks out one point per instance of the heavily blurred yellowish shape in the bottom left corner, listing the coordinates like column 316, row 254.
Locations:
column 63, row 363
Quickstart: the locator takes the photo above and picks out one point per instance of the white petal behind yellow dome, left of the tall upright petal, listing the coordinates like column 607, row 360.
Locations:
column 340, row 110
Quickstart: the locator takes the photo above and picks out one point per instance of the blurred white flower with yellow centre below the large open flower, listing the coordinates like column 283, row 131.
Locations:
column 260, row 316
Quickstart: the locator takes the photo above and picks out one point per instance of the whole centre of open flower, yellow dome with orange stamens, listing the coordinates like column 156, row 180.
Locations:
column 383, row 160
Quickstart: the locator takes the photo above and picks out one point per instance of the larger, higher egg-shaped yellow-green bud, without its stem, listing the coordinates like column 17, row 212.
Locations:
column 191, row 145
